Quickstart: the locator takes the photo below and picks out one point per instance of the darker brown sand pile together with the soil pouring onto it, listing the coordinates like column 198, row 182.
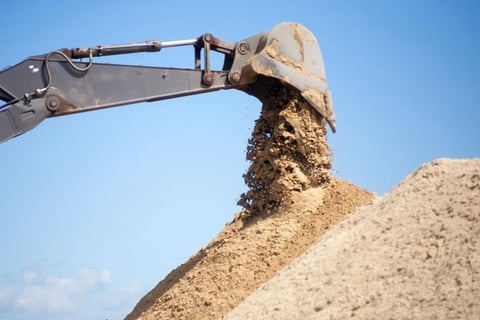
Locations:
column 292, row 199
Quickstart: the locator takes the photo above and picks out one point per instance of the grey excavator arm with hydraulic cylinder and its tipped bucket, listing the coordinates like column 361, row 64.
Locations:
column 67, row 81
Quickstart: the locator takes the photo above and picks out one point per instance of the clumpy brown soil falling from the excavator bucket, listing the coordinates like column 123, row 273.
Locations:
column 288, row 151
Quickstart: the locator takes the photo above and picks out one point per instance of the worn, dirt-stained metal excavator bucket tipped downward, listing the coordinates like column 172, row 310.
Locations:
column 291, row 54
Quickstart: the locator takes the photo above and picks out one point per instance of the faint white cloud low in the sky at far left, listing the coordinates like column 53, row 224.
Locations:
column 52, row 294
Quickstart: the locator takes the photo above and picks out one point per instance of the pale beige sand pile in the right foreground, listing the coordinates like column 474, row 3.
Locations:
column 412, row 254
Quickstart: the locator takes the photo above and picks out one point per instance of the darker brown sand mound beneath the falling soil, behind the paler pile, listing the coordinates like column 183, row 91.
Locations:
column 246, row 254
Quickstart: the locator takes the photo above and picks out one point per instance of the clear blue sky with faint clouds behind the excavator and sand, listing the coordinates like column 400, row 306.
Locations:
column 98, row 207
